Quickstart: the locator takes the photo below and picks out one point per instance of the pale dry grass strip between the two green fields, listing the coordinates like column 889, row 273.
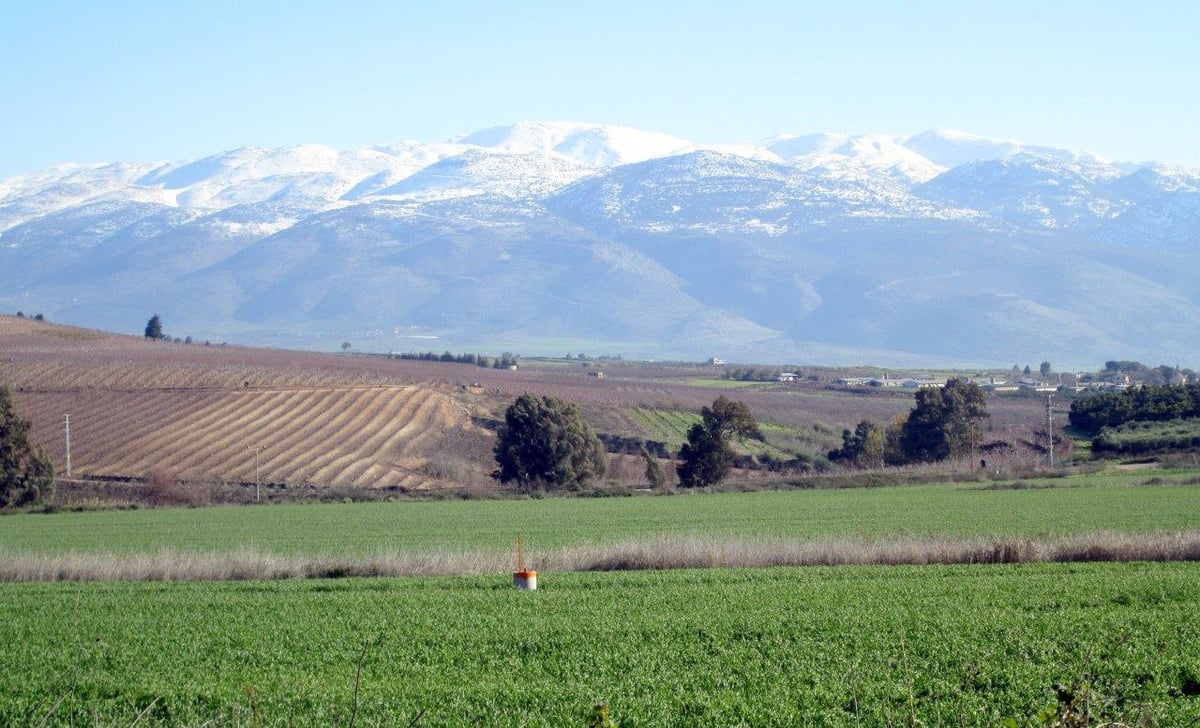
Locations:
column 667, row 552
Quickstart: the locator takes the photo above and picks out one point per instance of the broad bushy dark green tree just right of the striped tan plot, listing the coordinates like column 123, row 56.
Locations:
column 547, row 442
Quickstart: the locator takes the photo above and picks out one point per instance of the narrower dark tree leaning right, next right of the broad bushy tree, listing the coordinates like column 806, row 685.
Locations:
column 706, row 459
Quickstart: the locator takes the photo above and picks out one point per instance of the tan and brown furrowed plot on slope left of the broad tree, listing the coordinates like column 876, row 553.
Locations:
column 368, row 436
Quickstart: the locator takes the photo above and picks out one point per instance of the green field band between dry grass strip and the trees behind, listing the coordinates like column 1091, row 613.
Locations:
column 1049, row 508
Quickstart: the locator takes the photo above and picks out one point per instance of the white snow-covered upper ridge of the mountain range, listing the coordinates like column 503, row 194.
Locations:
column 538, row 159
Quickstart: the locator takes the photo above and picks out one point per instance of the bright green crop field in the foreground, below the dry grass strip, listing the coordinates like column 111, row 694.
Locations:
column 969, row 646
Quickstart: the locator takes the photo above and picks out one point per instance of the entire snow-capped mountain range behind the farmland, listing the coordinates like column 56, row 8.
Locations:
column 821, row 248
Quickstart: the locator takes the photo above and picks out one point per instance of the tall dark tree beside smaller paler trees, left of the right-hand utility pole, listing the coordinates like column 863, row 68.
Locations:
column 945, row 423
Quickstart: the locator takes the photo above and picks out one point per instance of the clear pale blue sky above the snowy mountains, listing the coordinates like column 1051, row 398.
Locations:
column 89, row 82
